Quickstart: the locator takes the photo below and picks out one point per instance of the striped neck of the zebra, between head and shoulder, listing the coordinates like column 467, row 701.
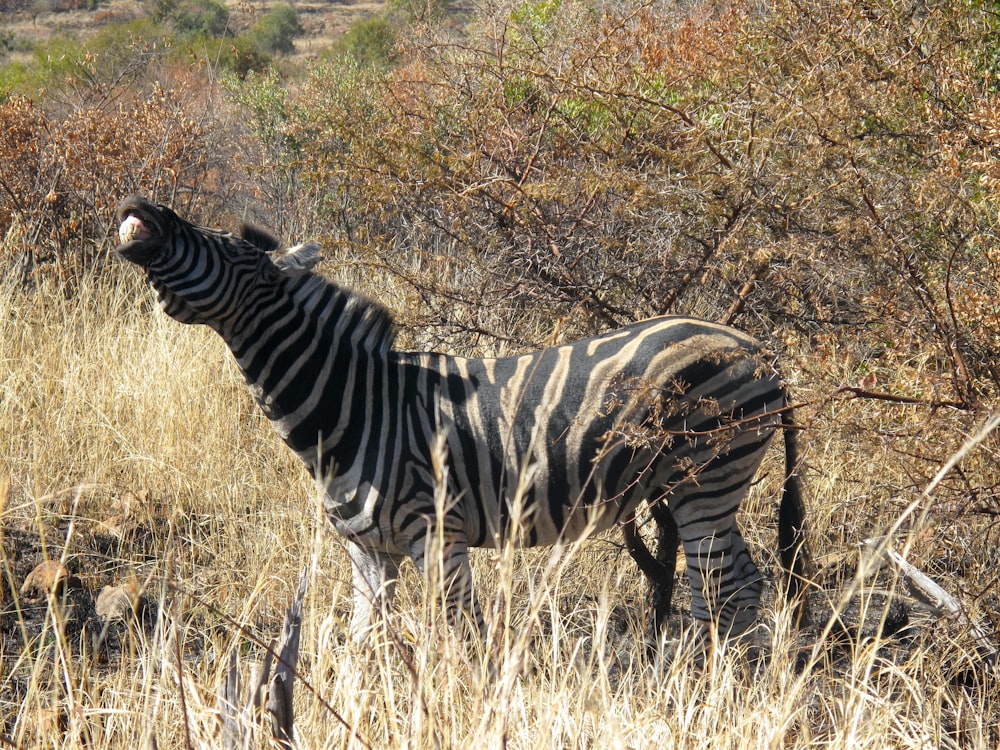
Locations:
column 305, row 349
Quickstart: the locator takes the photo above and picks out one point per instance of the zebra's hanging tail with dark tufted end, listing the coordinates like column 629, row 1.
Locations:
column 791, row 519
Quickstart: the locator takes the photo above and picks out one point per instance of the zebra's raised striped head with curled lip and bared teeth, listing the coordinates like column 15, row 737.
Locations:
column 204, row 275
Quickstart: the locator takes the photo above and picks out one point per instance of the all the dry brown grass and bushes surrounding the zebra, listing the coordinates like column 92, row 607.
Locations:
column 823, row 174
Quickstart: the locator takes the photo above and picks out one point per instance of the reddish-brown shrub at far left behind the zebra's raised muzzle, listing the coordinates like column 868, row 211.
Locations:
column 68, row 172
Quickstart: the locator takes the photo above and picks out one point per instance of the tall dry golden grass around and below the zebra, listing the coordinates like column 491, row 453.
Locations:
column 134, row 454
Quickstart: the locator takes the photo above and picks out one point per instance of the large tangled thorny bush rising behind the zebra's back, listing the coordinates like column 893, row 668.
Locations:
column 598, row 167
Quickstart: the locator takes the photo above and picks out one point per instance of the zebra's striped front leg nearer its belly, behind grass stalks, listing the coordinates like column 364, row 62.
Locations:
column 453, row 575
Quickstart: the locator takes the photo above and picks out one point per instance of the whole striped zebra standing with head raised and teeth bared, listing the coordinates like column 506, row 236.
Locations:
column 671, row 413
